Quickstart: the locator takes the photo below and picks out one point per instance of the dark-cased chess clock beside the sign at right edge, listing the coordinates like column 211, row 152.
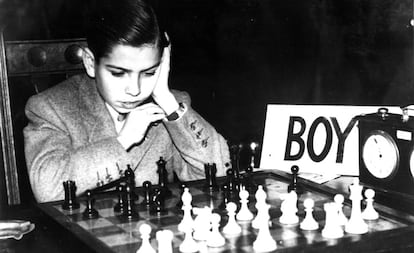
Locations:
column 386, row 157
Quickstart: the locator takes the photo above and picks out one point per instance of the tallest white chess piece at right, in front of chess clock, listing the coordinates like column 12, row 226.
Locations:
column 356, row 225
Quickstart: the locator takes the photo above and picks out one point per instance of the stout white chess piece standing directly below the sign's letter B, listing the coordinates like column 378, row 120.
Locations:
column 289, row 208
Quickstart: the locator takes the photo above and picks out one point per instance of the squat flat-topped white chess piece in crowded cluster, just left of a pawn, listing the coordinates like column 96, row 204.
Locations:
column 201, row 223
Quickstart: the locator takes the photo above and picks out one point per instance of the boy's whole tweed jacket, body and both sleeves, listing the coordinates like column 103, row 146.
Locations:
column 71, row 136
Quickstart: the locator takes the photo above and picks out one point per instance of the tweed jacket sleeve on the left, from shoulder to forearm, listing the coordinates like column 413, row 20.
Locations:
column 52, row 157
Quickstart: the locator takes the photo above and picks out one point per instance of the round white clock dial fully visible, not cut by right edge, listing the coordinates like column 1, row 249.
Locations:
column 380, row 154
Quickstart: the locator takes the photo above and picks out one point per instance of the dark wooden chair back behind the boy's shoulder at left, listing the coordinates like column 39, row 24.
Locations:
column 26, row 68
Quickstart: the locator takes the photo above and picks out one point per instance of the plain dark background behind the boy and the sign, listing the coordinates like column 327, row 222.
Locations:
column 236, row 56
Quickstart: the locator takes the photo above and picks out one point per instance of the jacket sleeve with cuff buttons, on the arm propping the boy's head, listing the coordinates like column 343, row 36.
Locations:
column 197, row 142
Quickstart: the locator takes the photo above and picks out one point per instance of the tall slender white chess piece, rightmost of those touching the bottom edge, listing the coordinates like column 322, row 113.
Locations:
column 264, row 241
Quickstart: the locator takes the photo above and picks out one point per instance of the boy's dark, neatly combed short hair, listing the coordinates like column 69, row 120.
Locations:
column 125, row 22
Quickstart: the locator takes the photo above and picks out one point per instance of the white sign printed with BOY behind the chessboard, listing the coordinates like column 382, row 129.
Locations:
column 321, row 139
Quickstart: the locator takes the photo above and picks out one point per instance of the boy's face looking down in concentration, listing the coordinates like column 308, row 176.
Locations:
column 127, row 76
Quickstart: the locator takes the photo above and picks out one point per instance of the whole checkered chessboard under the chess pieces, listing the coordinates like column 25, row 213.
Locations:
column 111, row 232
